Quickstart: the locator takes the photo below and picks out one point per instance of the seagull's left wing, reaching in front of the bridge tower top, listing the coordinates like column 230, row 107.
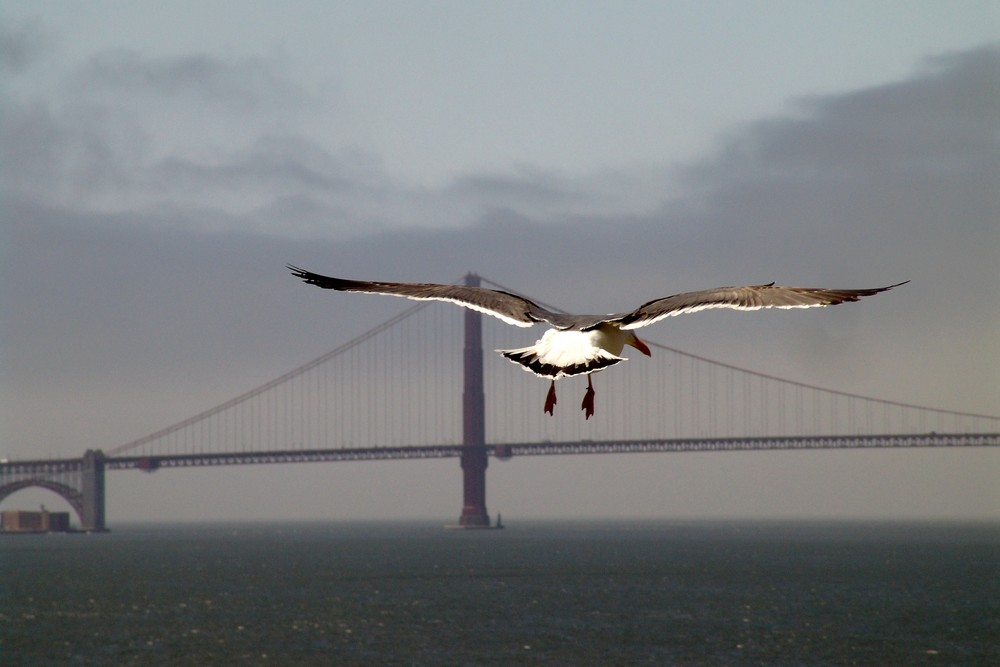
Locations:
column 510, row 308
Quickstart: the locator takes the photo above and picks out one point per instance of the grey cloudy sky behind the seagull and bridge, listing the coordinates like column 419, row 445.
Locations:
column 163, row 161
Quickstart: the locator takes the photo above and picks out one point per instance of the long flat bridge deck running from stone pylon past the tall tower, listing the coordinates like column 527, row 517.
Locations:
column 505, row 451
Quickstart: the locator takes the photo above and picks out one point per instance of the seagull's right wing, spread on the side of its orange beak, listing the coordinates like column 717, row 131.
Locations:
column 751, row 297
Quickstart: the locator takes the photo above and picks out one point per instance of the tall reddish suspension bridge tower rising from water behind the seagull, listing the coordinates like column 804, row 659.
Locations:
column 474, row 459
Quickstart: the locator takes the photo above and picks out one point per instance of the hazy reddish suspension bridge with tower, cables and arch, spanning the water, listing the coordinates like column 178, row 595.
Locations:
column 401, row 391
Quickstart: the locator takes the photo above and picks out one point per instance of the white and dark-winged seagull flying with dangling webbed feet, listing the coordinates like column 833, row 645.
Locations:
column 585, row 344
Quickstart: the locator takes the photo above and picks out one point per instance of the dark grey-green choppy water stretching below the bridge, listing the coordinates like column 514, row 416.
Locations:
column 625, row 593
